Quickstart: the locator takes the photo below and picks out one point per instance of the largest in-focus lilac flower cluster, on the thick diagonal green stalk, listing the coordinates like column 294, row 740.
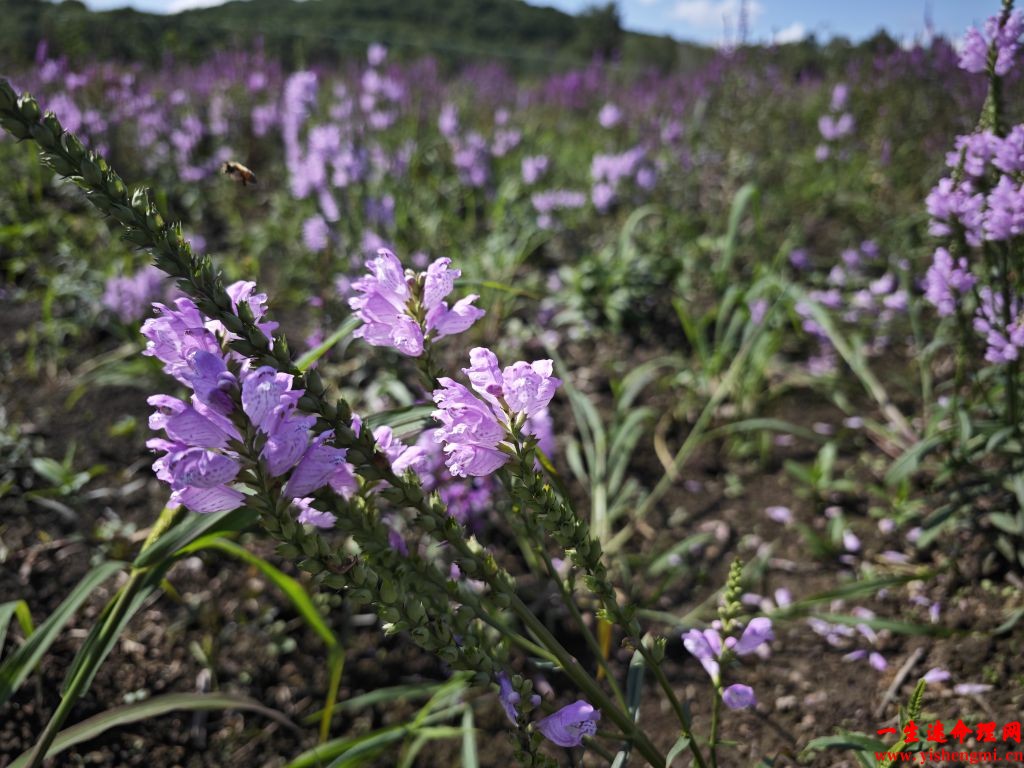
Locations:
column 236, row 417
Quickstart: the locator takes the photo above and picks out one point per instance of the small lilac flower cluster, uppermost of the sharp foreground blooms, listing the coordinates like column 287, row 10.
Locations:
column 404, row 311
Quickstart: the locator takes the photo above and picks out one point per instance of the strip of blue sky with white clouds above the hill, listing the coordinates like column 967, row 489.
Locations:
column 707, row 21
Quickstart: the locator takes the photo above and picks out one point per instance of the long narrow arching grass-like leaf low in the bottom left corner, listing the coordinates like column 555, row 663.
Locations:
column 151, row 708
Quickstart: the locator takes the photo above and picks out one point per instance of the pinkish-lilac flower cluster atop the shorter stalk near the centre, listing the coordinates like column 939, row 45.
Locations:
column 476, row 428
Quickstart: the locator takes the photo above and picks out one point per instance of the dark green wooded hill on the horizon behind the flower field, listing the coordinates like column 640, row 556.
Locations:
column 527, row 37
